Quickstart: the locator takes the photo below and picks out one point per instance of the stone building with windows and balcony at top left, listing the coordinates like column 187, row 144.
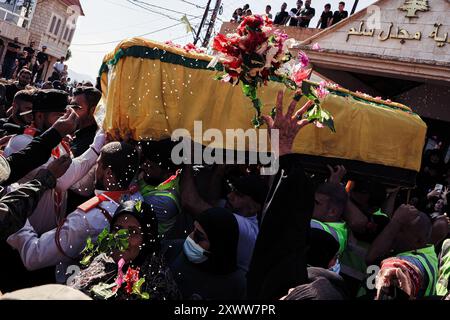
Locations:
column 50, row 23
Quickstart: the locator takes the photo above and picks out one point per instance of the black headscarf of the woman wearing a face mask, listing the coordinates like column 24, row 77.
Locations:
column 222, row 230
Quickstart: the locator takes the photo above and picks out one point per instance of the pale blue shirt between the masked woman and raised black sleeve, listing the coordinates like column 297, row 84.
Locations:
column 248, row 232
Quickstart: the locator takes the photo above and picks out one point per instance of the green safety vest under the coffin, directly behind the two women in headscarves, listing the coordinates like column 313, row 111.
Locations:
column 170, row 189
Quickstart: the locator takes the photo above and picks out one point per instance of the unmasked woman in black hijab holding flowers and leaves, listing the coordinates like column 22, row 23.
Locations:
column 142, row 254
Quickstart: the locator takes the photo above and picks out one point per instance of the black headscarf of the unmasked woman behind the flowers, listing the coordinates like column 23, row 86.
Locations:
column 149, row 227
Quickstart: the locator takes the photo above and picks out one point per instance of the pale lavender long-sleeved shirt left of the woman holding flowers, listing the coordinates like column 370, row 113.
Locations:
column 39, row 252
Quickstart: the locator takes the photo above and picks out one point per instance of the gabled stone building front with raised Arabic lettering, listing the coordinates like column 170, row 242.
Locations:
column 395, row 49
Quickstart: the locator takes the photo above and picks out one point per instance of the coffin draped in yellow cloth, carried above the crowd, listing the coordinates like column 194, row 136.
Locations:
column 150, row 89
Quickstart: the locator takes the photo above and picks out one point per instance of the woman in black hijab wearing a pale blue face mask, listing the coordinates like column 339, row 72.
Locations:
column 205, row 264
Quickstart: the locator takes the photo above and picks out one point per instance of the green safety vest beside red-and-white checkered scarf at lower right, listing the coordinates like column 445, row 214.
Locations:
column 428, row 259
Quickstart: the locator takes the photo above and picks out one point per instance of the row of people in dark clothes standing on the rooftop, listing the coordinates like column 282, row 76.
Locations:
column 300, row 16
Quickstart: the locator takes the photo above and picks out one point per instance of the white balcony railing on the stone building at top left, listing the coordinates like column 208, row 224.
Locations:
column 17, row 12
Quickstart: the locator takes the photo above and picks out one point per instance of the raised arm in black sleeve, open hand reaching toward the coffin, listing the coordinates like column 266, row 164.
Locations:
column 279, row 259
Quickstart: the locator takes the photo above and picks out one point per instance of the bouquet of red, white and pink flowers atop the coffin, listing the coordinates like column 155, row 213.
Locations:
column 256, row 54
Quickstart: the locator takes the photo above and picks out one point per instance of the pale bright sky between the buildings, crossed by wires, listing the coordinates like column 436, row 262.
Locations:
column 107, row 22
